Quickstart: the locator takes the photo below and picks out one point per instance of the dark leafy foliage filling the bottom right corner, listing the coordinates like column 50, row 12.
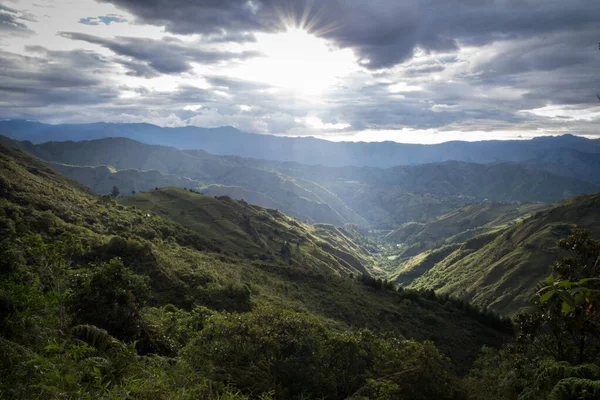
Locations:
column 557, row 349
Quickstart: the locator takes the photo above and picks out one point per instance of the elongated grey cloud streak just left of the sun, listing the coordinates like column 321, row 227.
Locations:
column 167, row 56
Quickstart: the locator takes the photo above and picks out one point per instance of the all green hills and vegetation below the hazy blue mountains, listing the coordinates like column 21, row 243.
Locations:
column 171, row 294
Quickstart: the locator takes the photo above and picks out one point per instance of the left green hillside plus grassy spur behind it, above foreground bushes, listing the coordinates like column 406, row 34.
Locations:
column 193, row 250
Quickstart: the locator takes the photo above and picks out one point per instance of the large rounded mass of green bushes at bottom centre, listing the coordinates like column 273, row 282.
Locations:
column 297, row 356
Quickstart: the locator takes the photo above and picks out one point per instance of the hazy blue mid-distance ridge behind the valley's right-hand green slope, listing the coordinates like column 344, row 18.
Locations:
column 390, row 197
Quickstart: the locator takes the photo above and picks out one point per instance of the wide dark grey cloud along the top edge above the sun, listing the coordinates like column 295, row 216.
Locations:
column 384, row 32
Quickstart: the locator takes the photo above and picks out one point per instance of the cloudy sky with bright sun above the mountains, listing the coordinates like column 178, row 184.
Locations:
column 416, row 71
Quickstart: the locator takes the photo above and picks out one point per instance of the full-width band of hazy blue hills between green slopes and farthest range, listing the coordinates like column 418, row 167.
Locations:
column 369, row 197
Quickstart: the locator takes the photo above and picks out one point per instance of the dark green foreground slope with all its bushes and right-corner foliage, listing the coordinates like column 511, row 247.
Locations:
column 103, row 301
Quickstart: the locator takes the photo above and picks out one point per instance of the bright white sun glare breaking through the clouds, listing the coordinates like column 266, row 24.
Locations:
column 298, row 61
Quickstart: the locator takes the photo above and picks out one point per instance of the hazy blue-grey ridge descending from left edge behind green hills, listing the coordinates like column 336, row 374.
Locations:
column 136, row 164
